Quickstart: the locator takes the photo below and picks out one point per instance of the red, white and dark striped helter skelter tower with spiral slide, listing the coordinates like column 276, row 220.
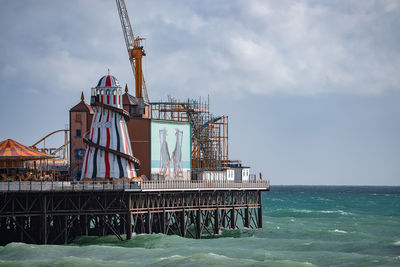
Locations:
column 109, row 153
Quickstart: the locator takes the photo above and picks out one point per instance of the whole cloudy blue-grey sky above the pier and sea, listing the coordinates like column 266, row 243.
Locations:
column 311, row 88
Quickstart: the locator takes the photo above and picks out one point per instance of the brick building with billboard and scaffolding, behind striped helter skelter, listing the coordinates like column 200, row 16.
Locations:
column 172, row 140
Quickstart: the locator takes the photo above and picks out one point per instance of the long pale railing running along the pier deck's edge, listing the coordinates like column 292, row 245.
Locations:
column 145, row 186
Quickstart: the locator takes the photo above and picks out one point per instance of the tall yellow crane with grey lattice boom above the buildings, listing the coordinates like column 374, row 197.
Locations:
column 135, row 51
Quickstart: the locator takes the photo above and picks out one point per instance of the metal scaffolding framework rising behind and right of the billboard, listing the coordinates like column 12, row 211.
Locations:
column 210, row 148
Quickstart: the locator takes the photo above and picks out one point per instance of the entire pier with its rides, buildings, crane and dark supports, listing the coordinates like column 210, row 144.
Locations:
column 134, row 166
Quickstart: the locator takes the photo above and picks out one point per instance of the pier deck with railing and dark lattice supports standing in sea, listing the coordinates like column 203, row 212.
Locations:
column 57, row 212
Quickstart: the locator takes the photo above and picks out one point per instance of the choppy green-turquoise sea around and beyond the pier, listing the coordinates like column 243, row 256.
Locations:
column 302, row 226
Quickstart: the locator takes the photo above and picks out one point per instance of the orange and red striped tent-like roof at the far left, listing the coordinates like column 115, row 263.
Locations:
column 10, row 149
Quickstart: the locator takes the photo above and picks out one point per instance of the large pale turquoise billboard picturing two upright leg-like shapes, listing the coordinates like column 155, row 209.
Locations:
column 170, row 150
